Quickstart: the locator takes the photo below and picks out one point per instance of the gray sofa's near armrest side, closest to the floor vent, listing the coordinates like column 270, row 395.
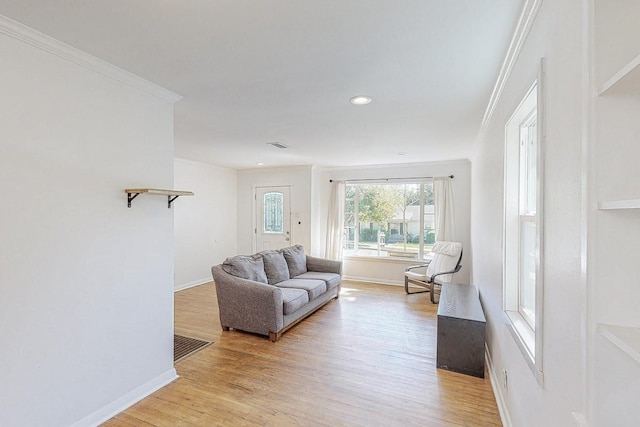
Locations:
column 247, row 305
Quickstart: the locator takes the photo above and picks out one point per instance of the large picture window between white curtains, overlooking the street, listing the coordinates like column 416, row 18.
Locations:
column 389, row 219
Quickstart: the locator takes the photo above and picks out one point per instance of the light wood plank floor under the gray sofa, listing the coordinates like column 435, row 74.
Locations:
column 366, row 359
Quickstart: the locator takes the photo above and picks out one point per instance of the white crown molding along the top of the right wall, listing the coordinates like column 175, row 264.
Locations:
column 525, row 23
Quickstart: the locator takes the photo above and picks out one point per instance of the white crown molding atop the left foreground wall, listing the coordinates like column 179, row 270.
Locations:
column 28, row 35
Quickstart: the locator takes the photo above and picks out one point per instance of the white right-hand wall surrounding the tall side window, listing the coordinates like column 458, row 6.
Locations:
column 557, row 35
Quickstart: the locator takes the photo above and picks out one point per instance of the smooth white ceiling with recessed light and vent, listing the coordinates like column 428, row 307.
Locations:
column 258, row 71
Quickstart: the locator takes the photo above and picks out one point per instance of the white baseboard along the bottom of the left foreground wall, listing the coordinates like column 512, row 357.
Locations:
column 134, row 396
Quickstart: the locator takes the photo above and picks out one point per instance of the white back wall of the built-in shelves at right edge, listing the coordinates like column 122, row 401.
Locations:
column 614, row 277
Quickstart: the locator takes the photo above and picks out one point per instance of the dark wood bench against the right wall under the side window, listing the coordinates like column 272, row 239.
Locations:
column 461, row 325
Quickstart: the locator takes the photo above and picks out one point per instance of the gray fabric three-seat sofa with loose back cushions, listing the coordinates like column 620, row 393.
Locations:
column 269, row 292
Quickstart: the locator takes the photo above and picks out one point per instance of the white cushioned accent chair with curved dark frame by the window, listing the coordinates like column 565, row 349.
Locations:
column 444, row 263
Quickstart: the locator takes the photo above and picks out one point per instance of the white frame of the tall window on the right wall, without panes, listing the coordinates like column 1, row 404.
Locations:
column 527, row 331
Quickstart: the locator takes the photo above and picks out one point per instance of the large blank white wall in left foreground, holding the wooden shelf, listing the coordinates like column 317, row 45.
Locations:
column 86, row 305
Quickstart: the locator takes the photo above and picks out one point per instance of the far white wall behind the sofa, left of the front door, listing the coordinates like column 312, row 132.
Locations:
column 205, row 225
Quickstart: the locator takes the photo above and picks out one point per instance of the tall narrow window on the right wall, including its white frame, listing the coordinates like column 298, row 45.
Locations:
column 523, row 229
